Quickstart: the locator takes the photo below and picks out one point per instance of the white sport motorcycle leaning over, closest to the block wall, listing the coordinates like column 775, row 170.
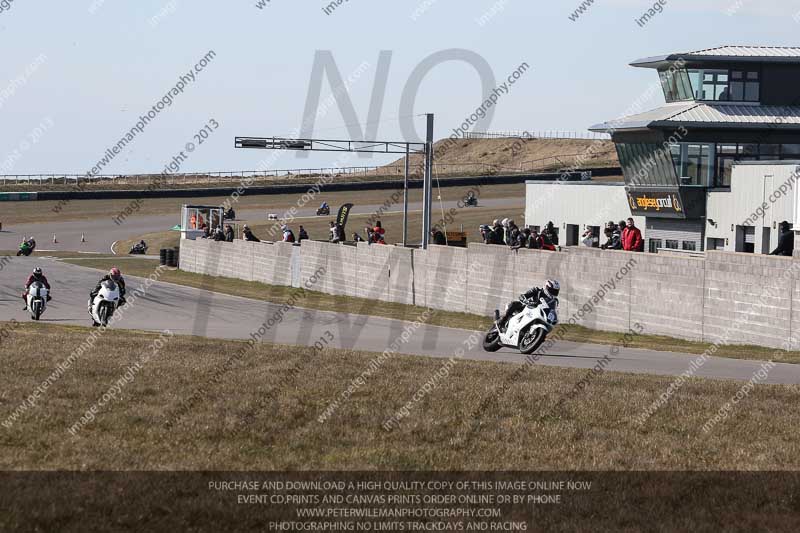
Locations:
column 526, row 330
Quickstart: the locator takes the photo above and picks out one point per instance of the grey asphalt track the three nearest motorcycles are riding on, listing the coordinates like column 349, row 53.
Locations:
column 190, row 311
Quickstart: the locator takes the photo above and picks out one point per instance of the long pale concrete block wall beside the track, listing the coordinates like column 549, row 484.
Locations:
column 726, row 298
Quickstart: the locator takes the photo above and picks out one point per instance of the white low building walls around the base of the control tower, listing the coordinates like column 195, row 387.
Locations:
column 743, row 218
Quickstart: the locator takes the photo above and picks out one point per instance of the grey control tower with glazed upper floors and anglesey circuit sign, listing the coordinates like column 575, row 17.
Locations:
column 725, row 105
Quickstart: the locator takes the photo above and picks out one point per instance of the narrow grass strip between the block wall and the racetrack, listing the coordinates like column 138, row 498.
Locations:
column 328, row 302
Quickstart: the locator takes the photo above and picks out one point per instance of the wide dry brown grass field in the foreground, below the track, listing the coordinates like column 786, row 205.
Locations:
column 263, row 413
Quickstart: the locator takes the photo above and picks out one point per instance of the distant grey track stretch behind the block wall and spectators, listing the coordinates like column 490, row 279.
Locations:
column 101, row 233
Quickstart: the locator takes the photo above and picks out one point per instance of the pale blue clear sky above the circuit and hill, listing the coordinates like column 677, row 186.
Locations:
column 101, row 70
